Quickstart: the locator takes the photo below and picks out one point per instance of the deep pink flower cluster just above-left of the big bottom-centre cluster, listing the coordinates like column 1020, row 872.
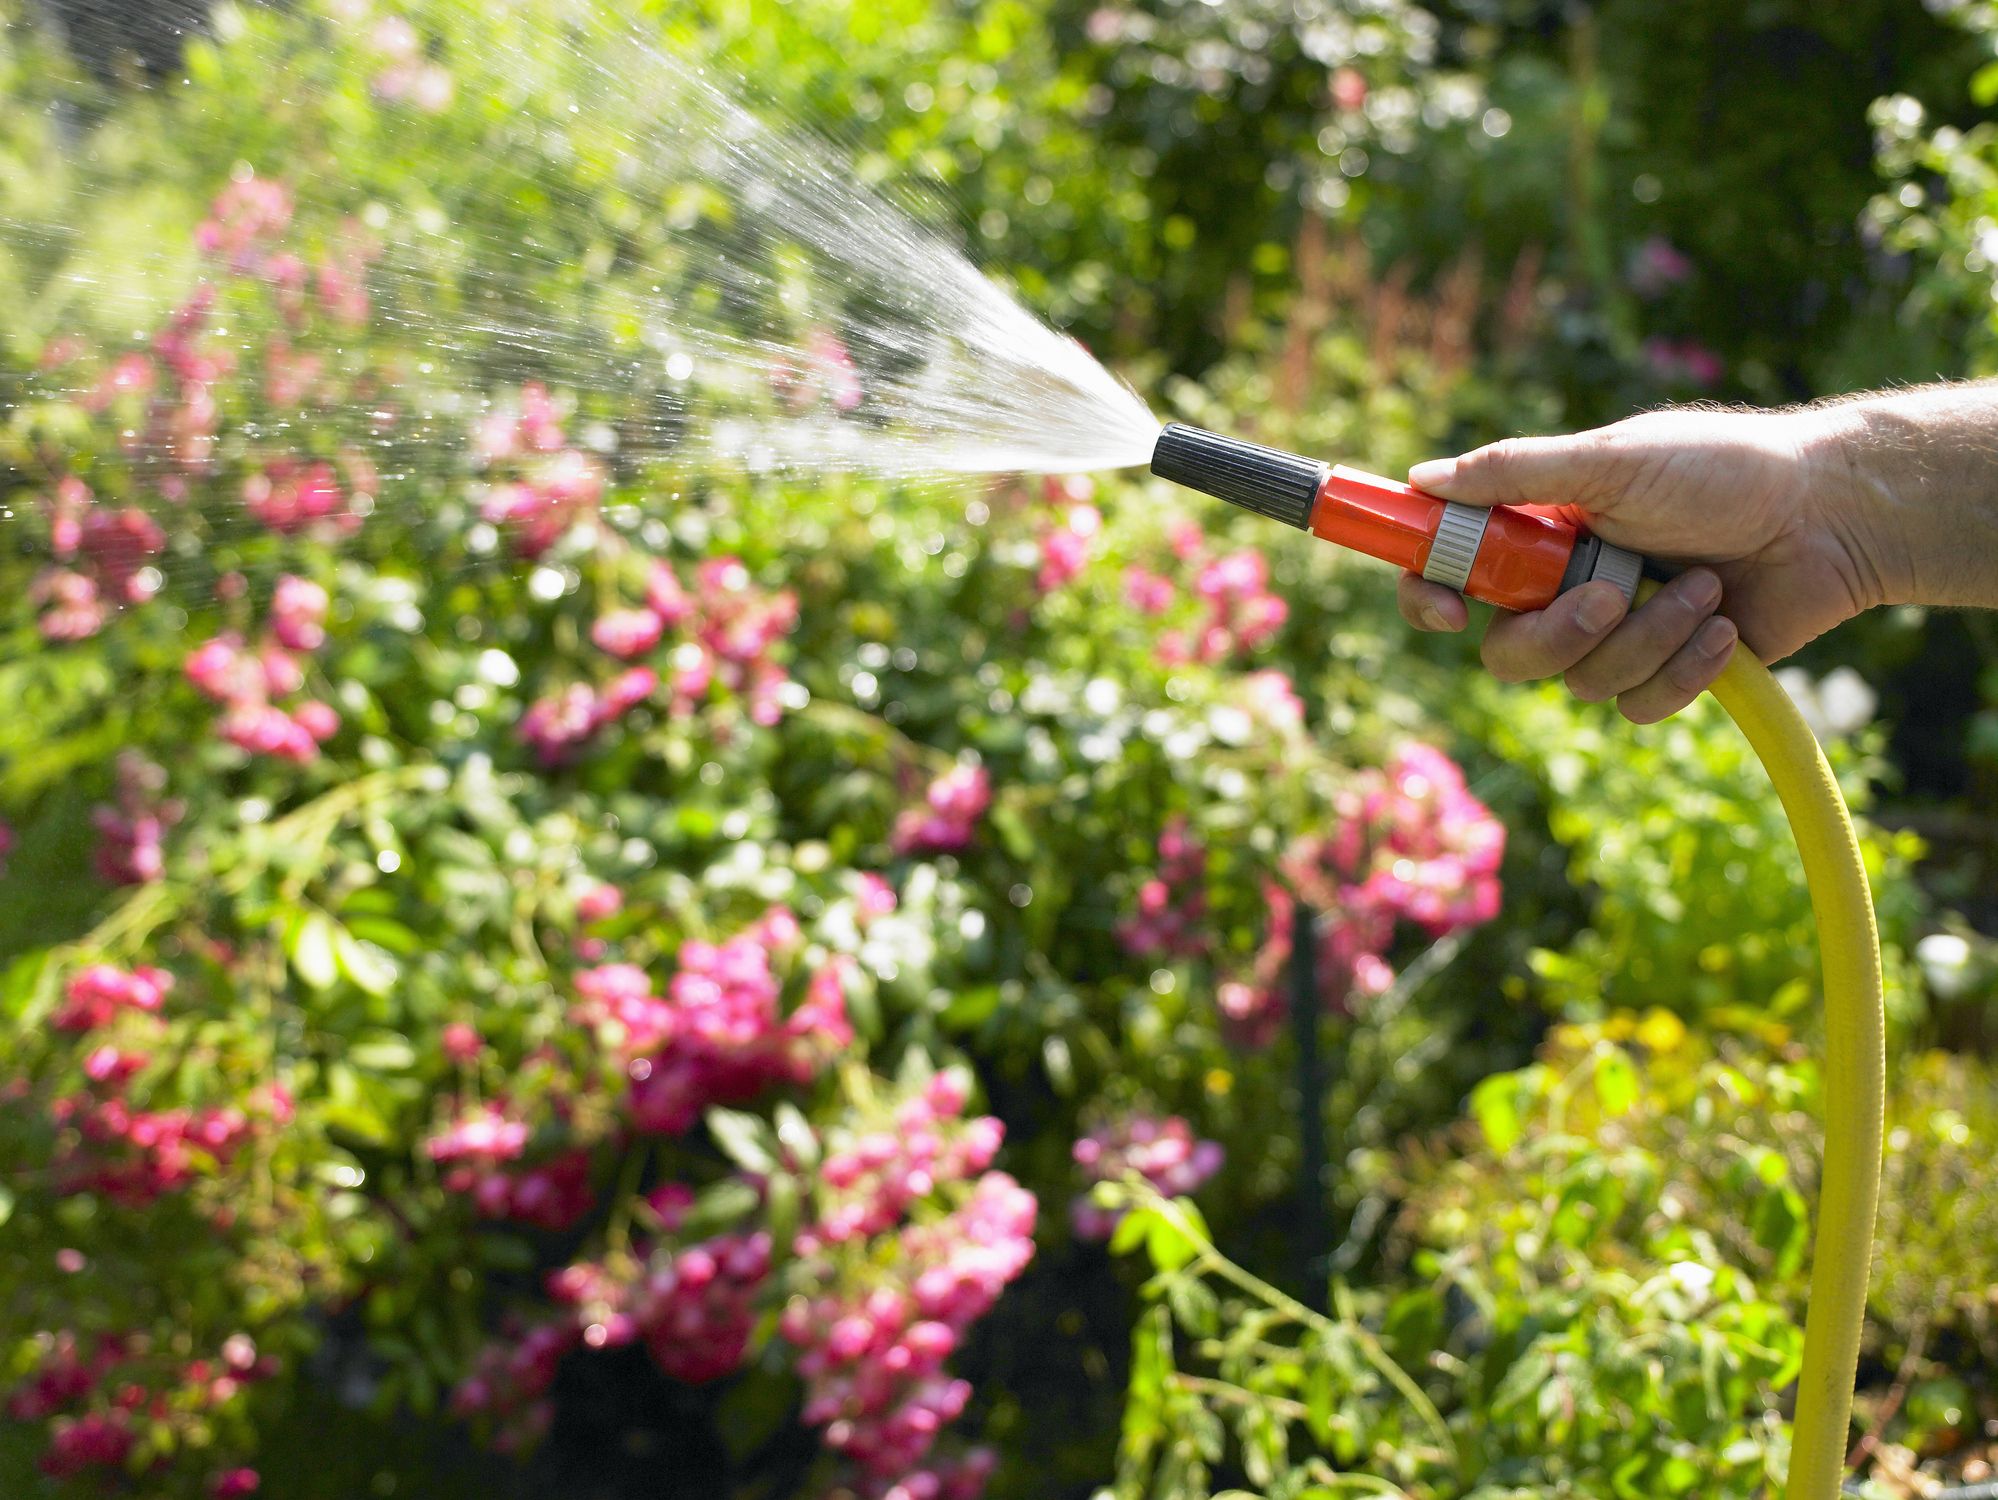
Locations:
column 720, row 1034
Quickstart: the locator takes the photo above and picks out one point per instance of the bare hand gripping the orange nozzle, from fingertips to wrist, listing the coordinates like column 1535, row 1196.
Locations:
column 1759, row 498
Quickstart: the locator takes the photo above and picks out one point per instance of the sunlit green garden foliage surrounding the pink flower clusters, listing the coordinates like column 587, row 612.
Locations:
column 1589, row 1291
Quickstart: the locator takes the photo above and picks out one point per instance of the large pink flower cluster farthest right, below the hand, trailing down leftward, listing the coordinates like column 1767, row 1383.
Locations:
column 1412, row 846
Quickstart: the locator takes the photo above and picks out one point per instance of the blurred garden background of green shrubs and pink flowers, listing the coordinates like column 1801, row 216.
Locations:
column 542, row 964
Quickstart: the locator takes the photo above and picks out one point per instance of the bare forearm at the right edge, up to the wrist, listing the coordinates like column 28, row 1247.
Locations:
column 1909, row 482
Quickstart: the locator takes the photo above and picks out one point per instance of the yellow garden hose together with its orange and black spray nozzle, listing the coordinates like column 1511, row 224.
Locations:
column 1521, row 560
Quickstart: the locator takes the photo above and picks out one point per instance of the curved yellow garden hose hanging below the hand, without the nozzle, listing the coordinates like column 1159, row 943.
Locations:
column 1855, row 1066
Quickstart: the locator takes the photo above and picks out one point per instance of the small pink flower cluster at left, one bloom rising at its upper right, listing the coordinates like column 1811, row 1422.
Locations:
column 249, row 682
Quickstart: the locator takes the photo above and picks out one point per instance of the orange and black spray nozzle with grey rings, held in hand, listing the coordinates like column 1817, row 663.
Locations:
column 1498, row 554
